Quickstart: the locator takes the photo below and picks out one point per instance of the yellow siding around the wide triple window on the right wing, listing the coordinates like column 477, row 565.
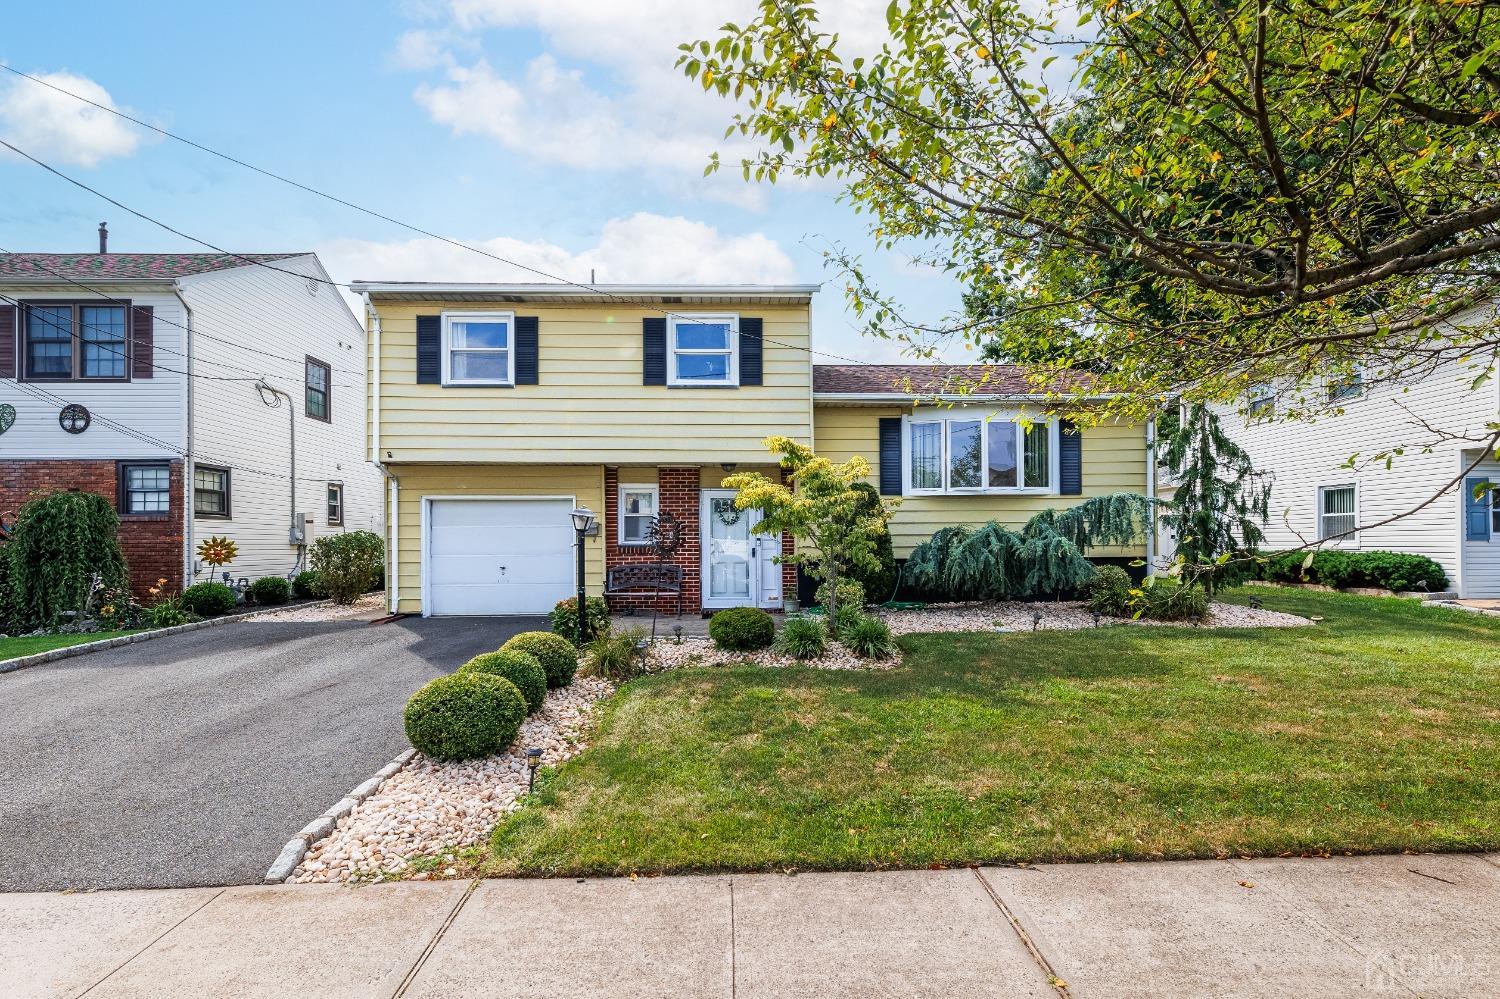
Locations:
column 1114, row 461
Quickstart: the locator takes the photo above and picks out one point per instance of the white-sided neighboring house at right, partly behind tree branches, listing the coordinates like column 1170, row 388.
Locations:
column 1316, row 494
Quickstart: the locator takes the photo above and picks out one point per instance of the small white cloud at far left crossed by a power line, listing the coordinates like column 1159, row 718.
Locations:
column 53, row 125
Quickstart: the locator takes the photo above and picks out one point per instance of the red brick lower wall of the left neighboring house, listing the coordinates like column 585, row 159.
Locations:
column 152, row 545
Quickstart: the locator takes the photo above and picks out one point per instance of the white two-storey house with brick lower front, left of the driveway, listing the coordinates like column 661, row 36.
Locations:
column 175, row 385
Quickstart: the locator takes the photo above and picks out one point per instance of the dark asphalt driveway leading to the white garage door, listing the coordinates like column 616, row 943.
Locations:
column 191, row 760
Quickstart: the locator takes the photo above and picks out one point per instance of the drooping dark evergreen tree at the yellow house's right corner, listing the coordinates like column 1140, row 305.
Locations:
column 1222, row 500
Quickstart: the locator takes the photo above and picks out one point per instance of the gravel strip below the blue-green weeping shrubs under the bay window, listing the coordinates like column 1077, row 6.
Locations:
column 1066, row 616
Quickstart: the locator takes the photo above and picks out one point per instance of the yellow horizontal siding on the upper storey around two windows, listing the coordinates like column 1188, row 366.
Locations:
column 590, row 406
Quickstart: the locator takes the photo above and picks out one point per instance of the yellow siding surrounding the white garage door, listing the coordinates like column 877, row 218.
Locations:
column 583, row 482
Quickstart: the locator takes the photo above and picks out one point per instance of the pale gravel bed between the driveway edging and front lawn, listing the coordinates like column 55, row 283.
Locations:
column 431, row 808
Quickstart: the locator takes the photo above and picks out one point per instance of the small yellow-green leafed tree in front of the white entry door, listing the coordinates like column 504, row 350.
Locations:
column 823, row 508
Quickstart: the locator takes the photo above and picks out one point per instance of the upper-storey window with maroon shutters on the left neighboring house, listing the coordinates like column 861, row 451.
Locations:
column 76, row 343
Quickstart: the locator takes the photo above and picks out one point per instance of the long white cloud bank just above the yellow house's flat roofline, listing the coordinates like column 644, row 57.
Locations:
column 641, row 248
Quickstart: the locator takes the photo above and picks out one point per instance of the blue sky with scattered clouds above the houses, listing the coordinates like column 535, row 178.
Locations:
column 557, row 134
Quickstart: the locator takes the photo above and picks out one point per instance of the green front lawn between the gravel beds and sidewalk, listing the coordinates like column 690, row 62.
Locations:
column 1375, row 731
